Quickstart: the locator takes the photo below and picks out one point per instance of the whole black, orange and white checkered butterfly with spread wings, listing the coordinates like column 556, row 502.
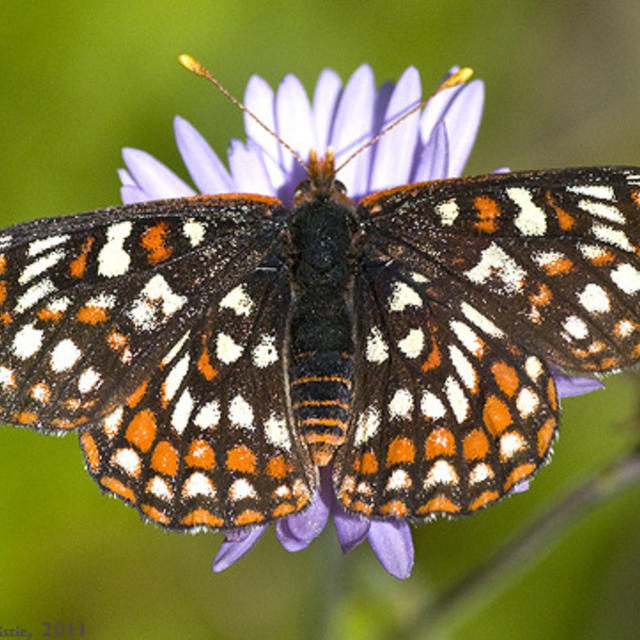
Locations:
column 213, row 351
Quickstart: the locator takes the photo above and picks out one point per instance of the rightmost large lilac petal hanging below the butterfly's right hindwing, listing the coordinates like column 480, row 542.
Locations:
column 392, row 543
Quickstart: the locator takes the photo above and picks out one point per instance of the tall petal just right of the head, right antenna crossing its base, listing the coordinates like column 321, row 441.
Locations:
column 352, row 128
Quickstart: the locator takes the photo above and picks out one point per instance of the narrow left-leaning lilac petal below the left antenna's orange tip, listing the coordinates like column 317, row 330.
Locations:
column 202, row 162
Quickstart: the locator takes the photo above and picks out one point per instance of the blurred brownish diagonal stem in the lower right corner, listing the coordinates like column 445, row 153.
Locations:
column 502, row 567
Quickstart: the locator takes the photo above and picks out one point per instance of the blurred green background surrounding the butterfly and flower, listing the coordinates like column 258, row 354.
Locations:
column 82, row 79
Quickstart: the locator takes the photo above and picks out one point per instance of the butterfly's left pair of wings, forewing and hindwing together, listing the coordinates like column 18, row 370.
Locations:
column 156, row 330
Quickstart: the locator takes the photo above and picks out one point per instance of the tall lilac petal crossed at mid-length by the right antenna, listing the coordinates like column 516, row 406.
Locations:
column 394, row 153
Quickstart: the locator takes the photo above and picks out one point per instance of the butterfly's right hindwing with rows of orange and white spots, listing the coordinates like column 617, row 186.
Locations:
column 447, row 418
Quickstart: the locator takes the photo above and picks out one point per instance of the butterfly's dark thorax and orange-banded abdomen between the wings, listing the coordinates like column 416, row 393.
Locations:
column 321, row 372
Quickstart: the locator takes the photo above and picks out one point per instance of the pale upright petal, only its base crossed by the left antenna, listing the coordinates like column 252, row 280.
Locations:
column 294, row 120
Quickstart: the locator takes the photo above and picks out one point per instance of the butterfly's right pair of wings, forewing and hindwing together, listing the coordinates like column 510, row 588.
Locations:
column 469, row 287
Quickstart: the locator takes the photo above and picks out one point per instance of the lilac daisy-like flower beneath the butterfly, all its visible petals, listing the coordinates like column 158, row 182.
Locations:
column 433, row 143
